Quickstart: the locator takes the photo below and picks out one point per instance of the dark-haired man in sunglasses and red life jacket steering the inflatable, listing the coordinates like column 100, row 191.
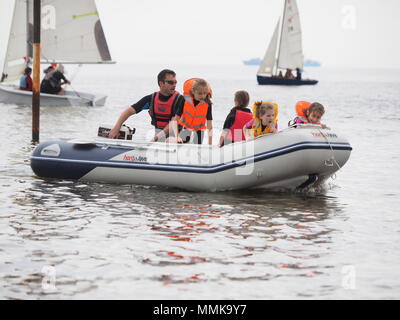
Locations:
column 162, row 106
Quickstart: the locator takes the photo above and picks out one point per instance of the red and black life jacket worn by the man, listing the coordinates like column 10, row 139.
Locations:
column 161, row 111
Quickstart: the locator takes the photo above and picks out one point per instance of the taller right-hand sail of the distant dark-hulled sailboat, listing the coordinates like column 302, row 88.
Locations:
column 290, row 49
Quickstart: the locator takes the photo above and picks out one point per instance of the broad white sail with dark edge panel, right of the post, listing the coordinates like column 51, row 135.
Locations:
column 72, row 32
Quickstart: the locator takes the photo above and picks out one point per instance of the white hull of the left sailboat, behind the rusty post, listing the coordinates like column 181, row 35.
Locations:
column 12, row 95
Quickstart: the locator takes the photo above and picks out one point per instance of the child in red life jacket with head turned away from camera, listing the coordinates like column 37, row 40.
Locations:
column 236, row 119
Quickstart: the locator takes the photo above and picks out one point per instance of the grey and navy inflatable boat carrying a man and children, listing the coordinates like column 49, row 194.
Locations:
column 296, row 157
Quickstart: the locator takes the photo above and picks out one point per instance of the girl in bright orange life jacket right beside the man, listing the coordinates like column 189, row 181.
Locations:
column 195, row 116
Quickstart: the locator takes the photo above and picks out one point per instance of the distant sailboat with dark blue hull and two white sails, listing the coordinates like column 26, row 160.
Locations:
column 284, row 51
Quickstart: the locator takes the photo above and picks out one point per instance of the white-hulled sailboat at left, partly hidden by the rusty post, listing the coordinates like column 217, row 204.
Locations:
column 71, row 33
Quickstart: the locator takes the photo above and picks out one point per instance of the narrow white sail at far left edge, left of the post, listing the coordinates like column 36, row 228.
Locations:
column 16, row 55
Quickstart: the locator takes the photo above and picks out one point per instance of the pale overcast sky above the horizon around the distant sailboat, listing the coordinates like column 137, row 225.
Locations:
column 338, row 33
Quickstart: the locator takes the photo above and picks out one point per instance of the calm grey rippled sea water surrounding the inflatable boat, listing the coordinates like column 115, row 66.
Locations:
column 75, row 240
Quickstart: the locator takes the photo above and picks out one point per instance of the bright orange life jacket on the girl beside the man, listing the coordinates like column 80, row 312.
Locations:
column 193, row 117
